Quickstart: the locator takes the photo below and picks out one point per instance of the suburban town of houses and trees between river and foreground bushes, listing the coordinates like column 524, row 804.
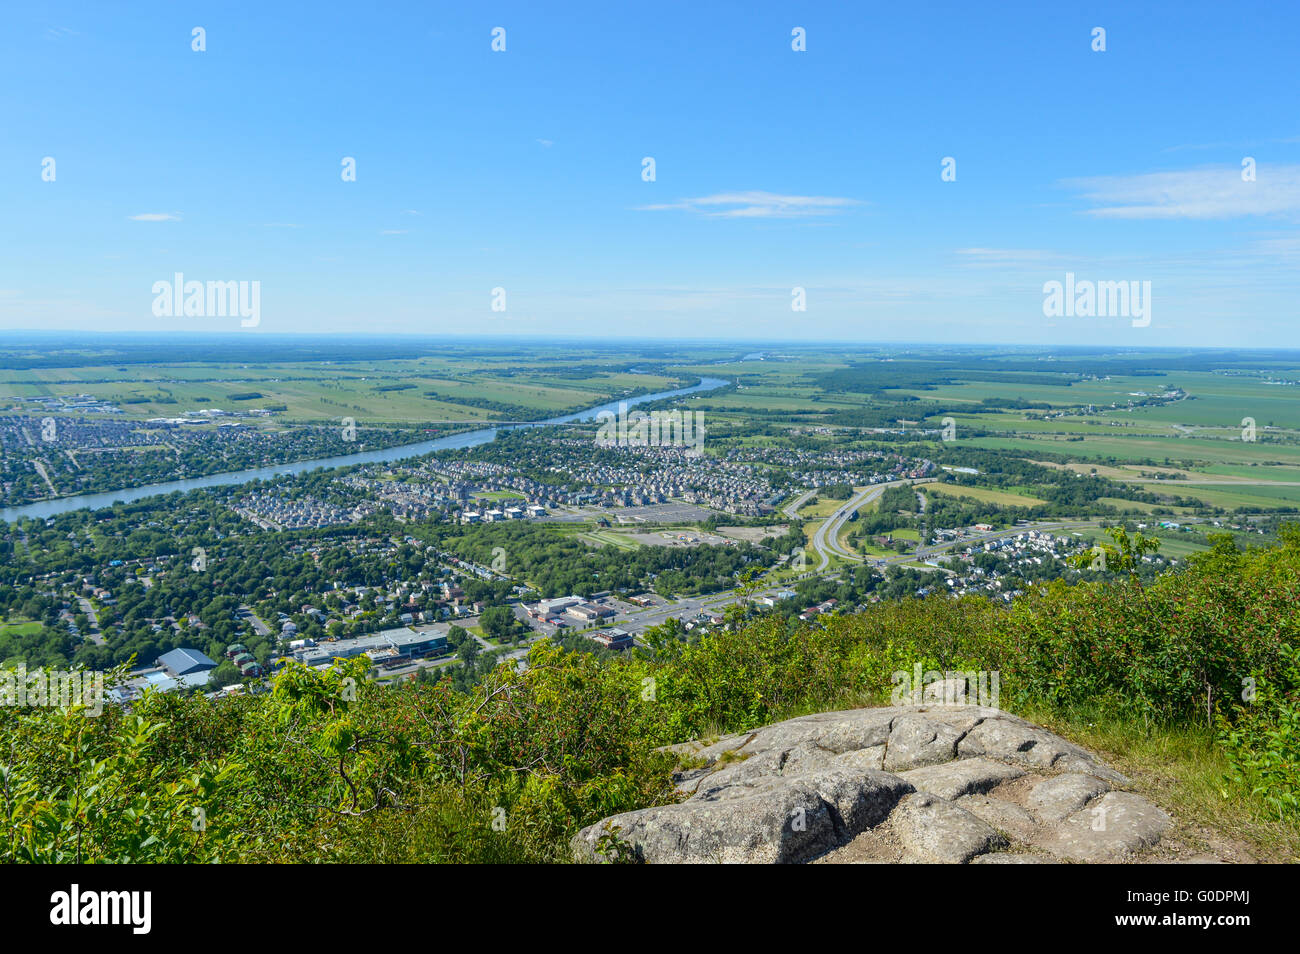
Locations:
column 421, row 622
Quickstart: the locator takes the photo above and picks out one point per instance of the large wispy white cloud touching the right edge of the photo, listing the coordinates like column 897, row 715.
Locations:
column 1207, row 193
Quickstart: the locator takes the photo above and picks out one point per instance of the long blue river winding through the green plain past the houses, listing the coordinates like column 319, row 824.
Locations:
column 469, row 439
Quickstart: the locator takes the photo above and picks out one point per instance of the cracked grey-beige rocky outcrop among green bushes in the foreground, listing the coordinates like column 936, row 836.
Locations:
column 915, row 784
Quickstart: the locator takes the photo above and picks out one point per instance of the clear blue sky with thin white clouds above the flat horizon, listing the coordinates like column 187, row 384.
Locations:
column 523, row 170
